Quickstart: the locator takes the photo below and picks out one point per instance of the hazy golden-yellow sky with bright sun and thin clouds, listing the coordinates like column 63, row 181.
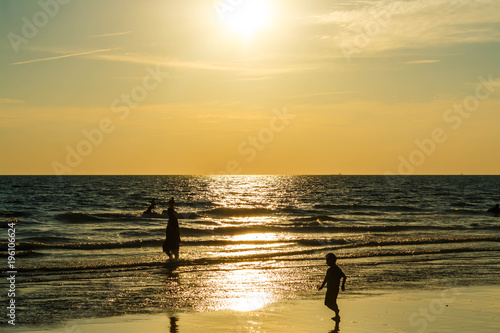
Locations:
column 249, row 87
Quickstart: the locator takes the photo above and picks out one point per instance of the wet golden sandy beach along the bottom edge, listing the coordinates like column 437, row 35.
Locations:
column 475, row 309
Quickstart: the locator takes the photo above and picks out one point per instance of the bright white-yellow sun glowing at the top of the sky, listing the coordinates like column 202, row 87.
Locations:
column 246, row 18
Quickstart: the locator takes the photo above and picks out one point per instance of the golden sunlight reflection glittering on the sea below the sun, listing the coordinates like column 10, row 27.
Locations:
column 245, row 285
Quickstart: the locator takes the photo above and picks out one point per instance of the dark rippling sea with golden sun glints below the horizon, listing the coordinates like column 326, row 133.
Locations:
column 84, row 248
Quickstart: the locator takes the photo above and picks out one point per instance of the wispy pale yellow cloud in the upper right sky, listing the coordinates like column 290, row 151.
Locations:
column 389, row 25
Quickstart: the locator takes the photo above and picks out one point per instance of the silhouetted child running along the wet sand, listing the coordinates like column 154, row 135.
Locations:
column 332, row 280
